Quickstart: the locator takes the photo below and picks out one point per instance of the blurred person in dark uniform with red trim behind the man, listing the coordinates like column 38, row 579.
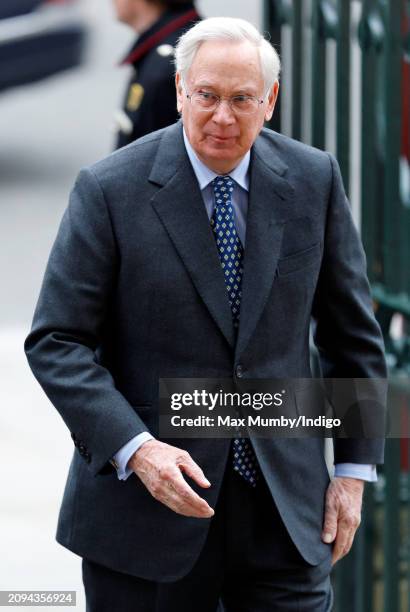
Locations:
column 149, row 102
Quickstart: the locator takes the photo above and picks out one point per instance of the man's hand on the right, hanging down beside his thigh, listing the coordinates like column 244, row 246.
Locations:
column 342, row 514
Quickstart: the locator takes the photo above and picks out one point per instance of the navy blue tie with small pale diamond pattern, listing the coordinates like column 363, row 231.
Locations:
column 230, row 252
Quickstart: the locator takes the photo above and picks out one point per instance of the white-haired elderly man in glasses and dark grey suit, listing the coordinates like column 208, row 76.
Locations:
column 138, row 288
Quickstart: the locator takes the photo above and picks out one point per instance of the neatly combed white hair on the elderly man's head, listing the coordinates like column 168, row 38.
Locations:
column 232, row 30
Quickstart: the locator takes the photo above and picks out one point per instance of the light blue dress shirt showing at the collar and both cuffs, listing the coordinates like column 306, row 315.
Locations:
column 240, row 198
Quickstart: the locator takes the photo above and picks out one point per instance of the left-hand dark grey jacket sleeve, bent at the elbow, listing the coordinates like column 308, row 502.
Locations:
column 61, row 348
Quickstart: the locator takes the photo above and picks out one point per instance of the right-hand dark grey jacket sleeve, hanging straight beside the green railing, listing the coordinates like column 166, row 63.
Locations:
column 346, row 333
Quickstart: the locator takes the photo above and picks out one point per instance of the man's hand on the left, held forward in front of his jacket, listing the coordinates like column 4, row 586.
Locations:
column 160, row 468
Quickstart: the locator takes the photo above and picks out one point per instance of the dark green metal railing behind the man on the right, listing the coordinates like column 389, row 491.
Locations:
column 371, row 40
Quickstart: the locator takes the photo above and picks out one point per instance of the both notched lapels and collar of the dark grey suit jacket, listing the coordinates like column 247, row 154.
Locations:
column 180, row 207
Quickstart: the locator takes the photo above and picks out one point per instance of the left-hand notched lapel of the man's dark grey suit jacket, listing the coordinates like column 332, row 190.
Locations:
column 180, row 207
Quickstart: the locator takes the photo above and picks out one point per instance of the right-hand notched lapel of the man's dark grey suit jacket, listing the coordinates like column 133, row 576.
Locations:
column 270, row 203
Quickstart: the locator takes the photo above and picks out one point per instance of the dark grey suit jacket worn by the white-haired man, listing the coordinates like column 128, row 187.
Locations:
column 134, row 291
